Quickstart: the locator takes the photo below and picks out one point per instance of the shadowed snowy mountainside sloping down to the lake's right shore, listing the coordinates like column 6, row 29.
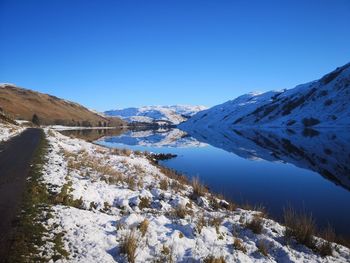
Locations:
column 324, row 102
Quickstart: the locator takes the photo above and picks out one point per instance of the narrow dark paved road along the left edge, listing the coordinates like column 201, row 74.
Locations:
column 15, row 160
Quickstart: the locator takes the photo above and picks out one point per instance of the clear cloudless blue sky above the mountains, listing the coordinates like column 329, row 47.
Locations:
column 109, row 54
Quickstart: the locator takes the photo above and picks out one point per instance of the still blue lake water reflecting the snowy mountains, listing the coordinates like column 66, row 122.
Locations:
column 306, row 169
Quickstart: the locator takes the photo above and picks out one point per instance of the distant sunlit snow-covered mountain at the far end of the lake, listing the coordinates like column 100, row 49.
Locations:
column 157, row 114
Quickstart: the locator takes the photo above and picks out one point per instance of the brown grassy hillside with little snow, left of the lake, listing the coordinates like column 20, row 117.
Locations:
column 22, row 104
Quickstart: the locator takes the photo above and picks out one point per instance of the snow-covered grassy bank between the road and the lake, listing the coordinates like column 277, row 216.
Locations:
column 118, row 196
